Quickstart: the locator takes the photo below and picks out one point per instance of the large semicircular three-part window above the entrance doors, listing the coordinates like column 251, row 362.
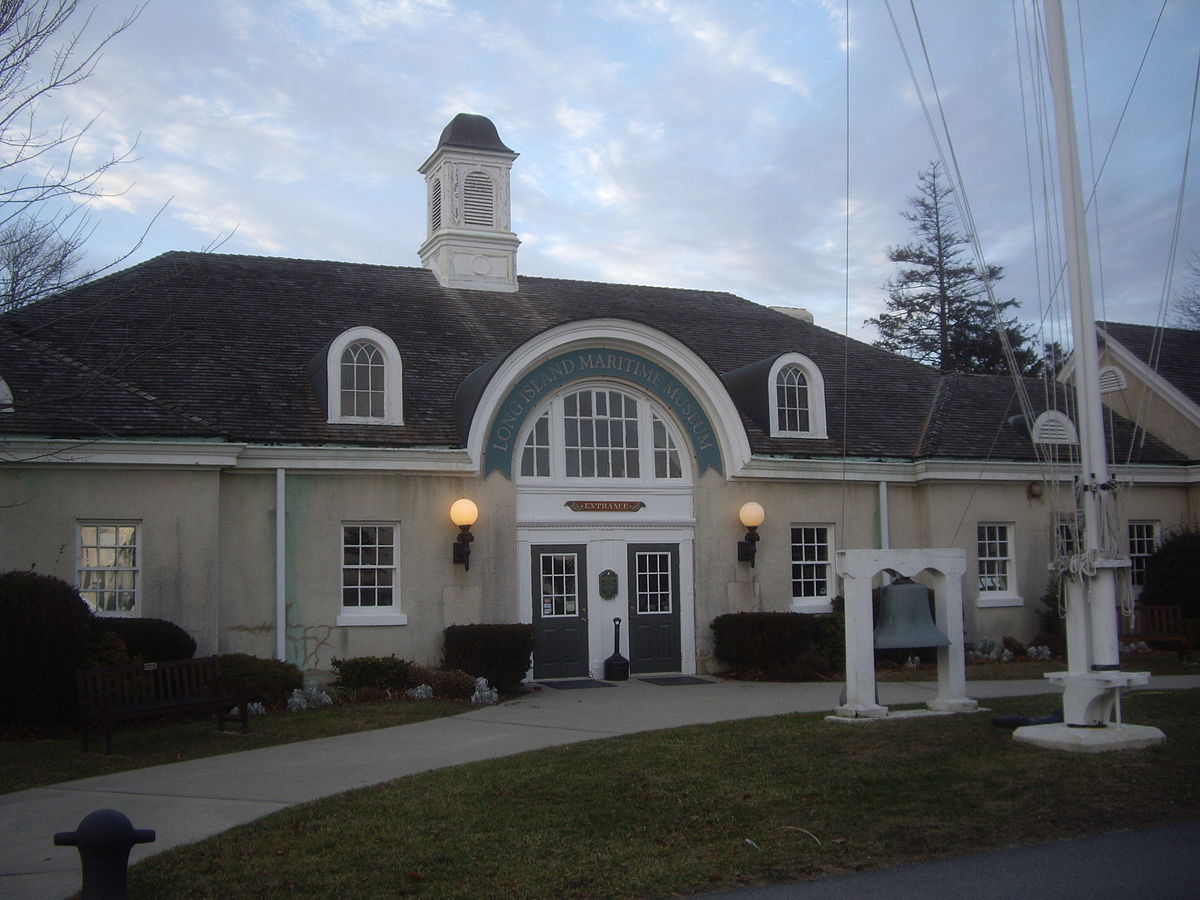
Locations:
column 602, row 433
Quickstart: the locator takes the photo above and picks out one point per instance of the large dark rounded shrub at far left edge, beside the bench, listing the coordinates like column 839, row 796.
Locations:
column 45, row 635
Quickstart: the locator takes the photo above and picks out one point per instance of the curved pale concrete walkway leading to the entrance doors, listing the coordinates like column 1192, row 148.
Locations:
column 190, row 801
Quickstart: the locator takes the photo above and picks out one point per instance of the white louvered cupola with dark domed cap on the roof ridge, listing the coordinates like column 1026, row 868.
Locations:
column 470, row 208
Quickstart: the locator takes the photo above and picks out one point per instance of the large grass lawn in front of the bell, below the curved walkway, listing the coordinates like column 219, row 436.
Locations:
column 703, row 808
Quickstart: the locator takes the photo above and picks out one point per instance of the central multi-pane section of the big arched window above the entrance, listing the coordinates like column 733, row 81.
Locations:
column 601, row 435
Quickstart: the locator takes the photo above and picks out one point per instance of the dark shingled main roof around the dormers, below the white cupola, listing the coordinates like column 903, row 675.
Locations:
column 219, row 346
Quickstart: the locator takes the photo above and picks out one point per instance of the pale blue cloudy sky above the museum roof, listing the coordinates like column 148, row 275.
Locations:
column 685, row 143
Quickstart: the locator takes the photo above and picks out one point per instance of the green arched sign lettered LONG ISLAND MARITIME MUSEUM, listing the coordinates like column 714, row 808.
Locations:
column 555, row 374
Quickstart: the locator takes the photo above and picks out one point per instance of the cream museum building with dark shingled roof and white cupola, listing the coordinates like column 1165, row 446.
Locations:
column 266, row 451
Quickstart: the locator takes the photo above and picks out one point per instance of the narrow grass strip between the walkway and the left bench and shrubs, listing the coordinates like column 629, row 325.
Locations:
column 32, row 764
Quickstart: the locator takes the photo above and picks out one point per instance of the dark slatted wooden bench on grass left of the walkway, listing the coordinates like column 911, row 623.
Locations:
column 153, row 689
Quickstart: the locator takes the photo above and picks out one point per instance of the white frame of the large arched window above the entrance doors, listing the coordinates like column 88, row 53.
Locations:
column 647, row 412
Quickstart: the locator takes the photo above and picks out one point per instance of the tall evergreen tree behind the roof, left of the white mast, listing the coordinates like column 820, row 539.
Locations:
column 939, row 311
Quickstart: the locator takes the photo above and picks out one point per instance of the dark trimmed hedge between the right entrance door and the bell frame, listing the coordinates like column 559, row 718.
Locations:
column 782, row 645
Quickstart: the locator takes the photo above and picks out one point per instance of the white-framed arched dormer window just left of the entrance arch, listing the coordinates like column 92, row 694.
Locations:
column 364, row 379
